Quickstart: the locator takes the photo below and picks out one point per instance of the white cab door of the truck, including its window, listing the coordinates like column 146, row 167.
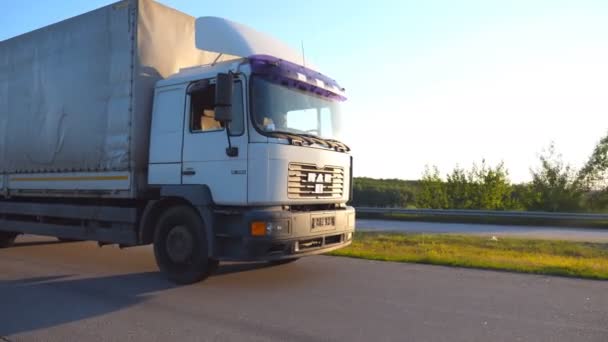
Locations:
column 205, row 141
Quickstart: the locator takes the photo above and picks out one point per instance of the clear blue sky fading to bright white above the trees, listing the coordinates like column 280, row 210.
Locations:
column 431, row 82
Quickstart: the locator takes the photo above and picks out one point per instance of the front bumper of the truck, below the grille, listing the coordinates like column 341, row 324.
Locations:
column 298, row 236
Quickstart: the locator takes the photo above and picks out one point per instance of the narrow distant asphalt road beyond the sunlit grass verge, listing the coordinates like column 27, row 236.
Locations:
column 558, row 233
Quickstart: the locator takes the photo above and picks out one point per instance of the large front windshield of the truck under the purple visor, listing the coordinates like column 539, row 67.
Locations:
column 276, row 108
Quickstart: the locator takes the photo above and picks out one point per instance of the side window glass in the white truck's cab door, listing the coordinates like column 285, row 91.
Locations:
column 202, row 111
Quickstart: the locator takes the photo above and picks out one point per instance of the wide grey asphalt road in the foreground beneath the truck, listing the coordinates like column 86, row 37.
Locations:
column 77, row 292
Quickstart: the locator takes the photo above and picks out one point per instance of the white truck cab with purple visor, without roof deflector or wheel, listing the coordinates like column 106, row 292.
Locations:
column 278, row 176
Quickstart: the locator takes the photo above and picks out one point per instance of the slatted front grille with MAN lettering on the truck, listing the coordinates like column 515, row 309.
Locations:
column 308, row 181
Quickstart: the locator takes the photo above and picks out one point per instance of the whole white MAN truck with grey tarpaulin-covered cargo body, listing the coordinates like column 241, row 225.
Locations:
column 137, row 124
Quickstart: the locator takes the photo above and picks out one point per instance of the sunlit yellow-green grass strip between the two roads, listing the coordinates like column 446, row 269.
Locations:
column 561, row 258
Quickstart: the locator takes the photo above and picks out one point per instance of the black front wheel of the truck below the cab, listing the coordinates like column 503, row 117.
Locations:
column 180, row 246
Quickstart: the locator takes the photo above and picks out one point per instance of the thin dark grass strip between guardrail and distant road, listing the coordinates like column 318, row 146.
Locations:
column 515, row 221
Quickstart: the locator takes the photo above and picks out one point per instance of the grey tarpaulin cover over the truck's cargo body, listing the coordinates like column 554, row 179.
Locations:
column 77, row 95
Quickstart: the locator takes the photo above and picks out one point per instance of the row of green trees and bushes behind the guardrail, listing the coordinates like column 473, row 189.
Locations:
column 555, row 187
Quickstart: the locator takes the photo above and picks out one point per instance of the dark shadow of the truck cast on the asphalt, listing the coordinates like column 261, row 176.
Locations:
column 43, row 302
